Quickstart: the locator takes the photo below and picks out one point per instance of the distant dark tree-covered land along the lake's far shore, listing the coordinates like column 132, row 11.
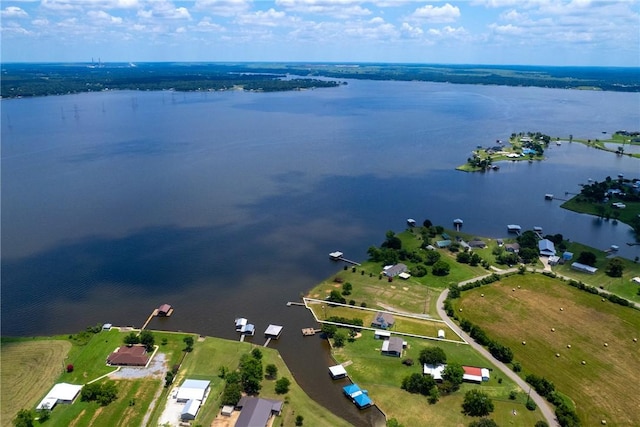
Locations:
column 43, row 79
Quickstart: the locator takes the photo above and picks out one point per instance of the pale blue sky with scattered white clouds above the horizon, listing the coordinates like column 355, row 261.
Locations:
column 535, row 32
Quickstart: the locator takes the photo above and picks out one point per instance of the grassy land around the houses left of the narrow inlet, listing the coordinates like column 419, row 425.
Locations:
column 32, row 366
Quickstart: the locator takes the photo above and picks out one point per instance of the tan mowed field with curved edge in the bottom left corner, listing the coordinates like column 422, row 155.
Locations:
column 29, row 368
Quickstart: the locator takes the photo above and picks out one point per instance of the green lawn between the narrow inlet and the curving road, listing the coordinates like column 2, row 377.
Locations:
column 382, row 376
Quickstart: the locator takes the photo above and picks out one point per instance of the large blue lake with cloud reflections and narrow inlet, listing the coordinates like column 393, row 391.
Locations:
column 227, row 204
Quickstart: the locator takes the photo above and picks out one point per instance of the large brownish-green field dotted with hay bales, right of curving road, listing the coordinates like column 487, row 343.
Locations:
column 527, row 307
